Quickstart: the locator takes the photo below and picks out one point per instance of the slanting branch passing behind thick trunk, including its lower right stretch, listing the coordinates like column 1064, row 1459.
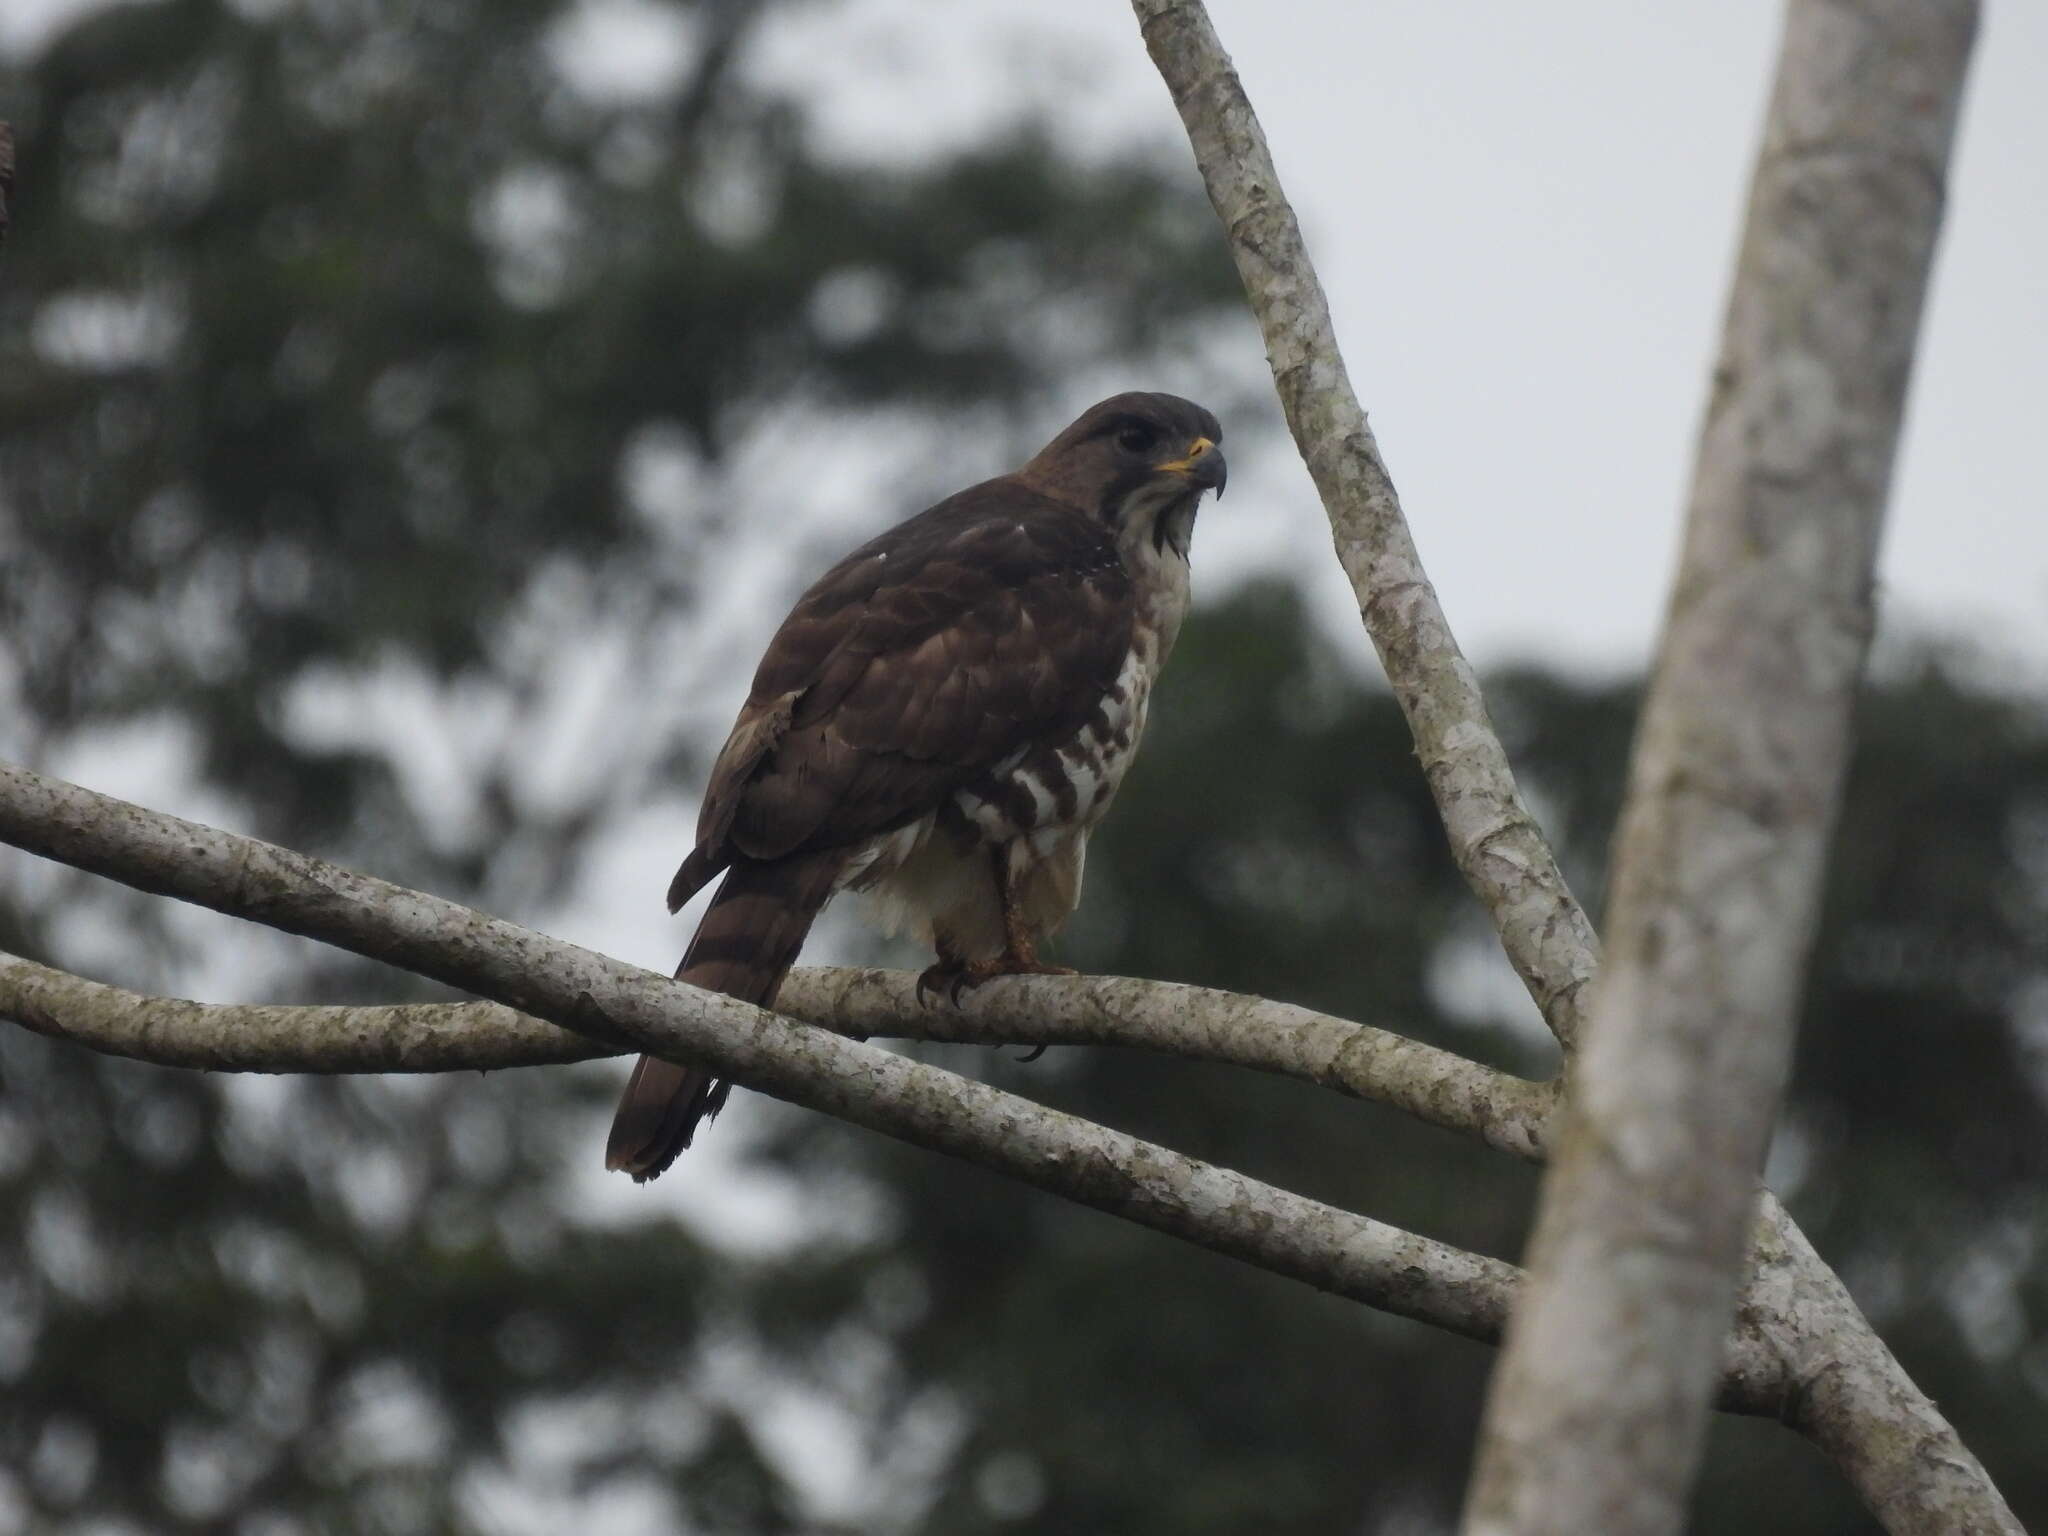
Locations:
column 1850, row 1394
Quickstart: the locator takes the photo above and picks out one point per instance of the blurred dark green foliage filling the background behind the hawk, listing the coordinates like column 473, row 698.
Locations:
column 329, row 335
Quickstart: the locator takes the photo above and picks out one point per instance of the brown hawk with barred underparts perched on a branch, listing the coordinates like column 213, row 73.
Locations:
column 941, row 724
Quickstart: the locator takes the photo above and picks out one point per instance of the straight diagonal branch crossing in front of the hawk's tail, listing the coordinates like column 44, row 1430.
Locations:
column 630, row 1009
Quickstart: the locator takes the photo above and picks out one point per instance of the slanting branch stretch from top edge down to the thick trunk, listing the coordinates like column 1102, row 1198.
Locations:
column 1498, row 845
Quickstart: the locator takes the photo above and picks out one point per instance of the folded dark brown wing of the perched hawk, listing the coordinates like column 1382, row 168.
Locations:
column 984, row 626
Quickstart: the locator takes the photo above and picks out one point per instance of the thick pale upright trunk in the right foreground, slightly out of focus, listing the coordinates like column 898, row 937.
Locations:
column 1598, row 1408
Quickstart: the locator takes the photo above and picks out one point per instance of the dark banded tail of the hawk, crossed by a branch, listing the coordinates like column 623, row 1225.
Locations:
column 744, row 947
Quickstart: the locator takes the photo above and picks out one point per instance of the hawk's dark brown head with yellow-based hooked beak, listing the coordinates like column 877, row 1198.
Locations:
column 1140, row 464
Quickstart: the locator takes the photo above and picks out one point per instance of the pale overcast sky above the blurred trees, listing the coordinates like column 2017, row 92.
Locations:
column 1525, row 218
